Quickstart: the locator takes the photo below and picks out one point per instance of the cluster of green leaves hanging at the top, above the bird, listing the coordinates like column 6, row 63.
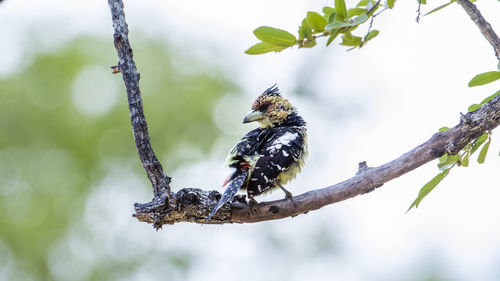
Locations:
column 333, row 22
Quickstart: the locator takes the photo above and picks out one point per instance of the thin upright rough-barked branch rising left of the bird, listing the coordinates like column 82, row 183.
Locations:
column 126, row 65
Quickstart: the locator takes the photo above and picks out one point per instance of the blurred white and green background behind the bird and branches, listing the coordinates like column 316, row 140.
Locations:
column 69, row 173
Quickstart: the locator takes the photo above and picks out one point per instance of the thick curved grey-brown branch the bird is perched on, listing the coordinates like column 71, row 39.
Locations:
column 193, row 205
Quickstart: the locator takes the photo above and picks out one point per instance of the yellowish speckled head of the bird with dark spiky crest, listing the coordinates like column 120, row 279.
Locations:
column 269, row 109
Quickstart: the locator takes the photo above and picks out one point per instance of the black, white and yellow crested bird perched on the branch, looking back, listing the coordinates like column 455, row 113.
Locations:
column 267, row 157
